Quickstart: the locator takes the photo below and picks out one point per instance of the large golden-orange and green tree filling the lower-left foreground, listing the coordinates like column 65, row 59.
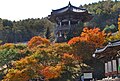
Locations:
column 52, row 62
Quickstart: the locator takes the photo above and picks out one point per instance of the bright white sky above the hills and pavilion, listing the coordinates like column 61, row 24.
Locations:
column 24, row 9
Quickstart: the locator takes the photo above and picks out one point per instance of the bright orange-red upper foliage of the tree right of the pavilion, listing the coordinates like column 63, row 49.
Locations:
column 92, row 36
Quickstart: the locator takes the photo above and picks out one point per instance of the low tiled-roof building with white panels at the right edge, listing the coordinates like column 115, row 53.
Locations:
column 110, row 55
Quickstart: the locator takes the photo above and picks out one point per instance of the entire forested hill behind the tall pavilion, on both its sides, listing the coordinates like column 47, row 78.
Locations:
column 105, row 14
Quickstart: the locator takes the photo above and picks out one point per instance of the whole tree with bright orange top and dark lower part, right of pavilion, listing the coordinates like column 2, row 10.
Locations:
column 87, row 42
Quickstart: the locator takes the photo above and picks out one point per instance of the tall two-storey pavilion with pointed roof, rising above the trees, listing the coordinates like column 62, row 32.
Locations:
column 67, row 20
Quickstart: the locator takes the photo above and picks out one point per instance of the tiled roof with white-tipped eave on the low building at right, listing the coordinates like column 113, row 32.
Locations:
column 109, row 51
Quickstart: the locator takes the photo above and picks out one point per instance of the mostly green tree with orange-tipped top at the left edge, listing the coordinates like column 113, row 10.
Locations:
column 9, row 53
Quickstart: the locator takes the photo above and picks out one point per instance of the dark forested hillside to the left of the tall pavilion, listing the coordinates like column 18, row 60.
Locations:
column 23, row 30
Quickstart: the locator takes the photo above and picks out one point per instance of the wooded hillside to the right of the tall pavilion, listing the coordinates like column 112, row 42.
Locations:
column 105, row 13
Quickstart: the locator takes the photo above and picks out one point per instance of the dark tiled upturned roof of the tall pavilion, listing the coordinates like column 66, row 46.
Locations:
column 70, row 10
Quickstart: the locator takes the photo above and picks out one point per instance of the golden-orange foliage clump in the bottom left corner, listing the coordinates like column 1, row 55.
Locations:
column 23, row 70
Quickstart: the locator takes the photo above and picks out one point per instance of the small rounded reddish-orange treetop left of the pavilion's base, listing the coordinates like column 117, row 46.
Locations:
column 36, row 41
